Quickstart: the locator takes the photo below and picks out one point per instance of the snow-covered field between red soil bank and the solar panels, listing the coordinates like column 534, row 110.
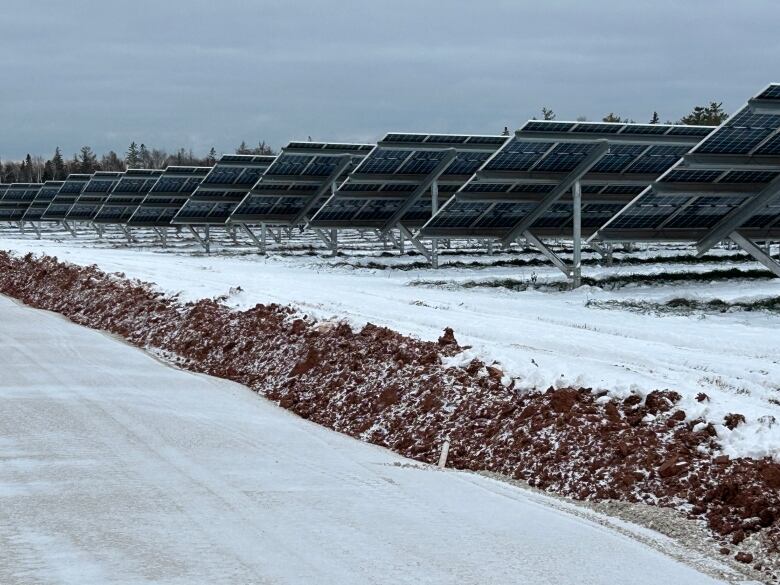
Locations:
column 542, row 338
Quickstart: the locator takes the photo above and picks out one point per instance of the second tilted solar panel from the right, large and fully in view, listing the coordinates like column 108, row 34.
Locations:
column 526, row 184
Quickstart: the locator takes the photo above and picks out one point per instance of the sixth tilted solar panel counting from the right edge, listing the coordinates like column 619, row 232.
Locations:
column 170, row 191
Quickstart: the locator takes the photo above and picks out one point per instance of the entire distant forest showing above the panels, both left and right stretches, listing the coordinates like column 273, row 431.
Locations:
column 36, row 169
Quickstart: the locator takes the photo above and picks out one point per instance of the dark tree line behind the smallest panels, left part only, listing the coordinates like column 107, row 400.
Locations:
column 36, row 169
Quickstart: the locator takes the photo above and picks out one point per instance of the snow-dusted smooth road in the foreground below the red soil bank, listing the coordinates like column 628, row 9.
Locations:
column 115, row 468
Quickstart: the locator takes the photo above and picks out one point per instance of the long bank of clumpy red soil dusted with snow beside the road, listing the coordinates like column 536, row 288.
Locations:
column 392, row 390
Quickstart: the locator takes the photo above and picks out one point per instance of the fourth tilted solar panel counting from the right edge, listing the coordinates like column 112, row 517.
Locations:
column 298, row 182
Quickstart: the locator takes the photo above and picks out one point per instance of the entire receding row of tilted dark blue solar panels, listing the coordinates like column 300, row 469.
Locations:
column 638, row 181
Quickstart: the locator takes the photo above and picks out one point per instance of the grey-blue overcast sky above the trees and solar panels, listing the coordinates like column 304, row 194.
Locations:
column 198, row 73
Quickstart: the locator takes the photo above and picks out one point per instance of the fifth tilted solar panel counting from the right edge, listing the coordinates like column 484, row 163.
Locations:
column 223, row 189
